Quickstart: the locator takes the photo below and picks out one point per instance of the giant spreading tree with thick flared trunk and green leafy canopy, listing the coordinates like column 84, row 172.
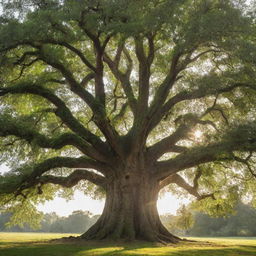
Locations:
column 131, row 96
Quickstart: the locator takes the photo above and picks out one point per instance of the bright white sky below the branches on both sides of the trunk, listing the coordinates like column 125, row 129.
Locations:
column 167, row 204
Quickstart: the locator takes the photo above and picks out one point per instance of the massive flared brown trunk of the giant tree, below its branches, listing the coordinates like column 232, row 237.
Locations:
column 130, row 212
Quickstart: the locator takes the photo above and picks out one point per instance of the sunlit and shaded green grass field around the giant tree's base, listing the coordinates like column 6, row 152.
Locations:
column 39, row 244
